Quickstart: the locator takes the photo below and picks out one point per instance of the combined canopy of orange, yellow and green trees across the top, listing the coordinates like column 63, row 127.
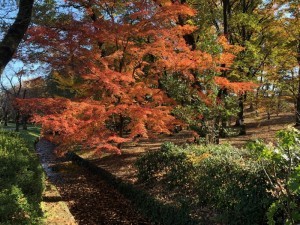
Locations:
column 121, row 70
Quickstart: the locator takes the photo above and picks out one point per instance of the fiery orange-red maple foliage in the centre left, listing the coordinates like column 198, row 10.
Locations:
column 119, row 57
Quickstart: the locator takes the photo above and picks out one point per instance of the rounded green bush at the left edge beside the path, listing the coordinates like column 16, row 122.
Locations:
column 21, row 182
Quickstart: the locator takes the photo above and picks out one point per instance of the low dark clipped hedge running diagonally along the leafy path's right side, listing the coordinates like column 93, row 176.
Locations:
column 153, row 209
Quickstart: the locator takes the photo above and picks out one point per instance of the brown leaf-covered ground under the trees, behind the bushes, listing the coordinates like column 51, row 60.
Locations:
column 257, row 128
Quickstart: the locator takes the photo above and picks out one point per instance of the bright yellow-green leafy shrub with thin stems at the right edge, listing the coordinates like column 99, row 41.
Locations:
column 281, row 164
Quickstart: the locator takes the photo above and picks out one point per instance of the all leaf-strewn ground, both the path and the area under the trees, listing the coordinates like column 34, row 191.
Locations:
column 75, row 196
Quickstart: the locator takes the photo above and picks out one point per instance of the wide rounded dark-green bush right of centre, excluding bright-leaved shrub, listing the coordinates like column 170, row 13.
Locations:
column 221, row 178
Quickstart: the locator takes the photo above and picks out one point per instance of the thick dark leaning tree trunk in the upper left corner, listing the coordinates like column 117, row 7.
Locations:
column 15, row 33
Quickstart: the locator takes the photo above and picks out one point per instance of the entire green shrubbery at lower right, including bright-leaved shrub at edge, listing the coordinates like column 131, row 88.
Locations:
column 239, row 186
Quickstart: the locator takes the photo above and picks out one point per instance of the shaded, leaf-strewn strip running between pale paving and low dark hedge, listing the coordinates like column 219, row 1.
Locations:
column 90, row 199
